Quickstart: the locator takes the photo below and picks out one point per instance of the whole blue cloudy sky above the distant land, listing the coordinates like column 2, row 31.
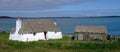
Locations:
column 59, row 8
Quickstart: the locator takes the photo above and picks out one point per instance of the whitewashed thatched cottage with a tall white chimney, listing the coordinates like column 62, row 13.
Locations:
column 34, row 30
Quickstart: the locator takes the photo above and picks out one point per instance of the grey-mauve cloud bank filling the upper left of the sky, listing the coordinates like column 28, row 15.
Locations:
column 35, row 4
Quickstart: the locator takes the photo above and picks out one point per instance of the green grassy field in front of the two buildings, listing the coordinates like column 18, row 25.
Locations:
column 61, row 45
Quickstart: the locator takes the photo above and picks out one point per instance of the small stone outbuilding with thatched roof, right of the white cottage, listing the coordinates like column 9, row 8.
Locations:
column 90, row 33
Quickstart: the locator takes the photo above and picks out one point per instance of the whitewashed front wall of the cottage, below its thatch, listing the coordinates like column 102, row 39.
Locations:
column 38, row 36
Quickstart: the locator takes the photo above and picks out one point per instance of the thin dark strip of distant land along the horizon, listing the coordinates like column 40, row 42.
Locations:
column 60, row 17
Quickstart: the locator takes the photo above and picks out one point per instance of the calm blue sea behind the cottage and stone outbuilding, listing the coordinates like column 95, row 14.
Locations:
column 68, row 25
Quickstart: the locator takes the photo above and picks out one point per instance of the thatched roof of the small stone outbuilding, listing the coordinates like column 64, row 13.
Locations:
column 91, row 29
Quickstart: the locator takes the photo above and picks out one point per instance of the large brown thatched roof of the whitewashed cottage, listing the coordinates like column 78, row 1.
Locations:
column 38, row 25
